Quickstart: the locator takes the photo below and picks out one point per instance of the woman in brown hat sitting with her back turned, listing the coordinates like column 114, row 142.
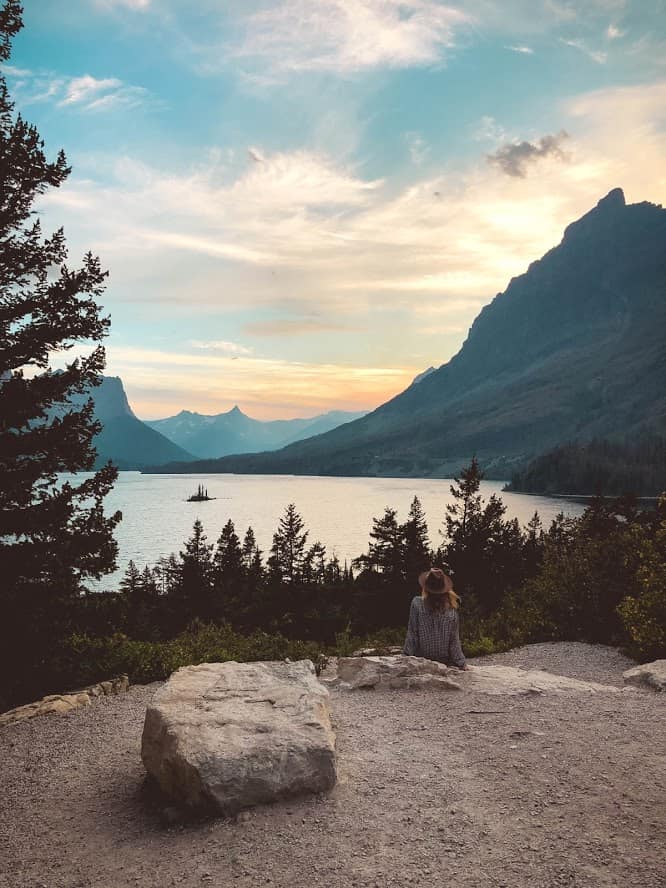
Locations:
column 433, row 621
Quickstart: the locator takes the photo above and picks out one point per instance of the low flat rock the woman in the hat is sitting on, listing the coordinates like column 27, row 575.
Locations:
column 398, row 671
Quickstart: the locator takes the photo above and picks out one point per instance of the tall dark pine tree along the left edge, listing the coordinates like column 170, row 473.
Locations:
column 53, row 534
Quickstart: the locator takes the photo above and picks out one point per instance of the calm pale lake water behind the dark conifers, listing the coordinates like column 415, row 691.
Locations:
column 337, row 511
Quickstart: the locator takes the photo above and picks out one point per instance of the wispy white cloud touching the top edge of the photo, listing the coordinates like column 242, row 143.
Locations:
column 345, row 36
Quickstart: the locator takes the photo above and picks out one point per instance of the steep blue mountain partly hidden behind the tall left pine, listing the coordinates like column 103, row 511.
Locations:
column 124, row 439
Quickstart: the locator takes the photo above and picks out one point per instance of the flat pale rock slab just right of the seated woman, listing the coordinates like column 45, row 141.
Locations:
column 512, row 681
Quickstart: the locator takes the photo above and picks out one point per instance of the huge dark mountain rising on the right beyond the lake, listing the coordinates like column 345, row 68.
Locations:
column 572, row 350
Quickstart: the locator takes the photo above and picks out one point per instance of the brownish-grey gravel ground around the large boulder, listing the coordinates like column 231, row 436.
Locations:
column 435, row 788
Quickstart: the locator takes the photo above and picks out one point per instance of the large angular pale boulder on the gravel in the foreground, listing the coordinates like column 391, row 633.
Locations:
column 232, row 735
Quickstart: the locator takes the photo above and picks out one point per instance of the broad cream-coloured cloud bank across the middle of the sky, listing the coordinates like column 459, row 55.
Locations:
column 299, row 244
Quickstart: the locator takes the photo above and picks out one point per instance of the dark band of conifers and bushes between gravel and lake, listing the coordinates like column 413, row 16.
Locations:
column 598, row 578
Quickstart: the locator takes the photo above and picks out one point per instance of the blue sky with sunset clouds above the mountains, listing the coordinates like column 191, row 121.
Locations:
column 304, row 203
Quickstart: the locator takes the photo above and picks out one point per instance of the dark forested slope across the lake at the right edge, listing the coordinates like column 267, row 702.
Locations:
column 598, row 467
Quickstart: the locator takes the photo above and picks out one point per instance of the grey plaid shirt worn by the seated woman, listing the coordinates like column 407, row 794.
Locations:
column 433, row 634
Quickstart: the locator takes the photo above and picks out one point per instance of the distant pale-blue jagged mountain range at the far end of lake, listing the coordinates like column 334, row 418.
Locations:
column 234, row 432
